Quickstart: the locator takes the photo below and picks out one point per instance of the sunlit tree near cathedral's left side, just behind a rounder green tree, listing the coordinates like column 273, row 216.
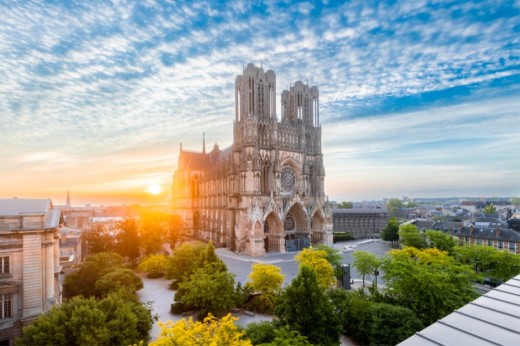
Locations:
column 184, row 261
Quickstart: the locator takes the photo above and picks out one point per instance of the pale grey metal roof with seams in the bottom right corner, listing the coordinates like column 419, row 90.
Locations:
column 492, row 319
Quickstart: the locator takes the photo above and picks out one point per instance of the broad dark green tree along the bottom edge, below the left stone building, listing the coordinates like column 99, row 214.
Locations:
column 114, row 320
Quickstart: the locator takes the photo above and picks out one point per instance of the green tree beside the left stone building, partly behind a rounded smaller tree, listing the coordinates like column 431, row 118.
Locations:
column 83, row 281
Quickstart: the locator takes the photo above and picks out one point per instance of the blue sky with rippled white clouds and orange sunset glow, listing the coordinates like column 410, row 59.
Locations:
column 417, row 98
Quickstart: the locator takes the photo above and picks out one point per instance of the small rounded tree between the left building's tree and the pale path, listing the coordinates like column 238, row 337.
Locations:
column 118, row 279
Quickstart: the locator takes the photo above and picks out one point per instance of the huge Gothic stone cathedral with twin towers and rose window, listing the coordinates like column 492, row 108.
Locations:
column 265, row 192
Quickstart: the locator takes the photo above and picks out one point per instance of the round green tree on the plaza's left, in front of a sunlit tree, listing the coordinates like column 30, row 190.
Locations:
column 208, row 289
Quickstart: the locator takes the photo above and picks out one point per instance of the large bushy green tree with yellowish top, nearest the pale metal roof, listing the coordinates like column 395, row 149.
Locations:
column 428, row 282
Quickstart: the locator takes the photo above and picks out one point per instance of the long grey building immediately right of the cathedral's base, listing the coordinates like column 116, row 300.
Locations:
column 361, row 222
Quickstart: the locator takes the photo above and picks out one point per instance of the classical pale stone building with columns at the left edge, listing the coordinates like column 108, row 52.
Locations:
column 29, row 263
